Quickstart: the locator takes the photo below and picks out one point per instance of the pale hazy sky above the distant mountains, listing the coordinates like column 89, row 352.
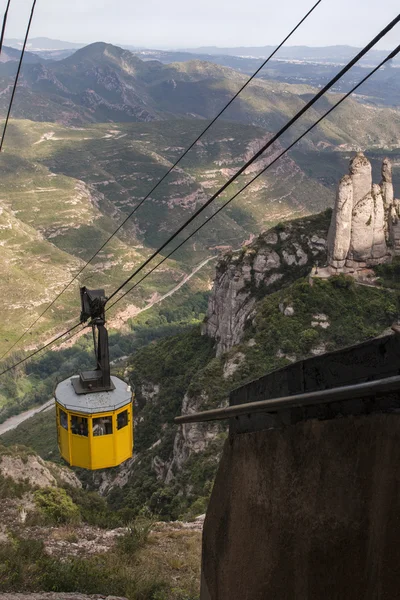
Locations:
column 189, row 23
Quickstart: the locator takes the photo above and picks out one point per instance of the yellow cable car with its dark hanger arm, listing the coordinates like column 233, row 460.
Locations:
column 94, row 409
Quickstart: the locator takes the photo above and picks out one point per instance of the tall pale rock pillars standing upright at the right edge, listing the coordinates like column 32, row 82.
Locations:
column 362, row 233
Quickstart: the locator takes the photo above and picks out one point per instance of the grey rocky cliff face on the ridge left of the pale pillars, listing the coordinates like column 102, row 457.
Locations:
column 276, row 258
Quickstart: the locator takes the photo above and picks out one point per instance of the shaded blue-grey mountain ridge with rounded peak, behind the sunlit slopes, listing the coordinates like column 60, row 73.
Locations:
column 104, row 83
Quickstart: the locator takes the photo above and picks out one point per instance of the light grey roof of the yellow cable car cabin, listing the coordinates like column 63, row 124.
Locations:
column 94, row 402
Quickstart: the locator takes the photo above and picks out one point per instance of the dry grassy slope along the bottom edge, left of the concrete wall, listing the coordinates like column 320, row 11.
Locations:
column 26, row 567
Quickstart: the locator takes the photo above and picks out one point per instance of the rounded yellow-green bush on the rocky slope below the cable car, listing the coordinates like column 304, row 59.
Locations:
column 55, row 506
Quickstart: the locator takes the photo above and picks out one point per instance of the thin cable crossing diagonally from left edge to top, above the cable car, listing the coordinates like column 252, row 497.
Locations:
column 162, row 178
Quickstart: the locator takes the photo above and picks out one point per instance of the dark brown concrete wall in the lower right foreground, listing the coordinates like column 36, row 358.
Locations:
column 310, row 510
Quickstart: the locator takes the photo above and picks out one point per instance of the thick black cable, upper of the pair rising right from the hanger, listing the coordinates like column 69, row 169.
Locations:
column 293, row 120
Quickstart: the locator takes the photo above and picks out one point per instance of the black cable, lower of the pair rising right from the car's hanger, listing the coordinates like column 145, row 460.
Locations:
column 389, row 57
